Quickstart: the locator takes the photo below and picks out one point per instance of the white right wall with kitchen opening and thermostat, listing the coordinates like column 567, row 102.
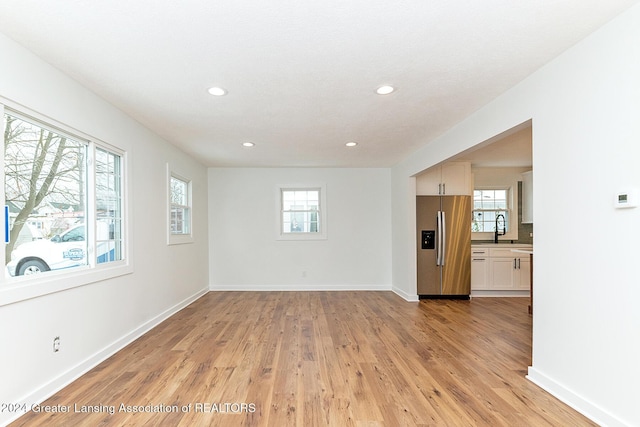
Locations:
column 585, row 107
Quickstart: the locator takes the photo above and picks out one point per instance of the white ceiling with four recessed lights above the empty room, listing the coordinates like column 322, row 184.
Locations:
column 301, row 74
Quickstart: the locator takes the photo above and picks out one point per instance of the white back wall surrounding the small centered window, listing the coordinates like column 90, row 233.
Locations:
column 243, row 218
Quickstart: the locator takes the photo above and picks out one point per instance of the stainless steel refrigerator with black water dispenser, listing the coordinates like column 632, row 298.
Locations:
column 444, row 246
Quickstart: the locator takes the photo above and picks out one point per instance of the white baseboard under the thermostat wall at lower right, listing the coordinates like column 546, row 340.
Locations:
column 574, row 400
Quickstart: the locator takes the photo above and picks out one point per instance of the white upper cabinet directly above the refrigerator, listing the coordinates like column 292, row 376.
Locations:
column 452, row 178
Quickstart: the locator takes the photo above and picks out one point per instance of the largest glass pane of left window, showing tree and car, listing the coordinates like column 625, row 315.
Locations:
column 45, row 192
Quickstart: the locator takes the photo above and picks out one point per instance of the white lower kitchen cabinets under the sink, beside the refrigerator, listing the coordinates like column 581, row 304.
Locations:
column 499, row 269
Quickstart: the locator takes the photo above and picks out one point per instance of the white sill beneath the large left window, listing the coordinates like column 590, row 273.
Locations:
column 23, row 288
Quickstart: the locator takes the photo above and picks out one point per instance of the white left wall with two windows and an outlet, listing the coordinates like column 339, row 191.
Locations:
column 97, row 319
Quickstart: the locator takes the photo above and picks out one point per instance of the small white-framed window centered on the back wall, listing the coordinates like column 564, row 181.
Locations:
column 302, row 213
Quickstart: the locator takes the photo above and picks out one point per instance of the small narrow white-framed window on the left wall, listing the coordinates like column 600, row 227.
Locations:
column 180, row 230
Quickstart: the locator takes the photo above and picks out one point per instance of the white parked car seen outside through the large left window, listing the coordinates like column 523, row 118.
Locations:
column 65, row 250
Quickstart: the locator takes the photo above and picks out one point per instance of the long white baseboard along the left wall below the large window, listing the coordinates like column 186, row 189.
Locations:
column 58, row 383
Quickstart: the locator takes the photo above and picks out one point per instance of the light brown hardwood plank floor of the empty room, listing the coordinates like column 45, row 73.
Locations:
column 321, row 359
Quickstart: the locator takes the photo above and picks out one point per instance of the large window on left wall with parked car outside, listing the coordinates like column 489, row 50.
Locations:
column 63, row 199
